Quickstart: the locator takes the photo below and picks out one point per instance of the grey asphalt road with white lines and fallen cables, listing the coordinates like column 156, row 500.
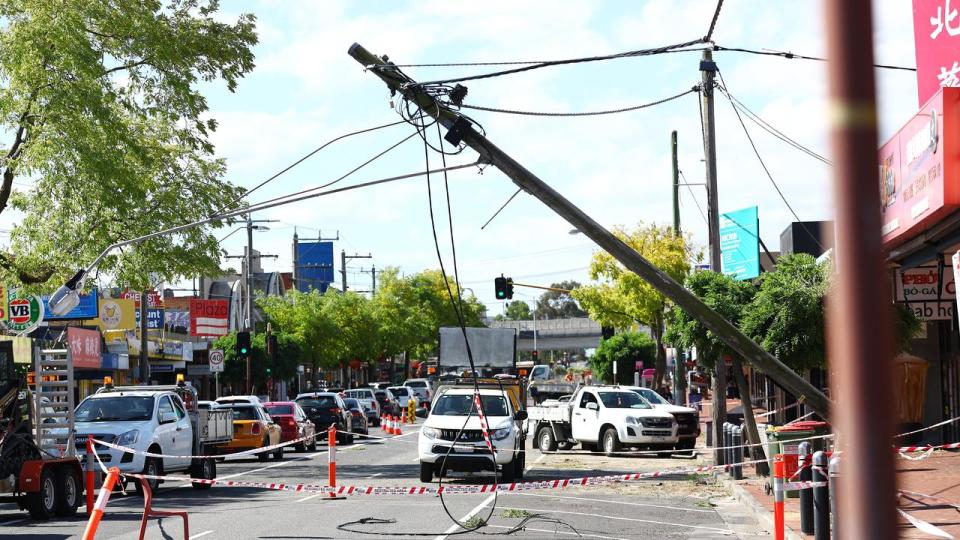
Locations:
column 684, row 507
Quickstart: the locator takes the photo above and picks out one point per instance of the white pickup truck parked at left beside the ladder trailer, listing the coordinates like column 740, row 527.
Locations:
column 158, row 420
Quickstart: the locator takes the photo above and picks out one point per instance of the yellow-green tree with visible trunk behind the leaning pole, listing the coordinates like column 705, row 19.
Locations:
column 623, row 298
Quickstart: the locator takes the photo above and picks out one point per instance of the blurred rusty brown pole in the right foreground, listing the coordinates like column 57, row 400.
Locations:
column 858, row 306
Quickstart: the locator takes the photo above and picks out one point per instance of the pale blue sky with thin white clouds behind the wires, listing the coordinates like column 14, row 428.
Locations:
column 306, row 90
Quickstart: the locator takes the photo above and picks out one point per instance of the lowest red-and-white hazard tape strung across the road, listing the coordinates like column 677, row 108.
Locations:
column 446, row 489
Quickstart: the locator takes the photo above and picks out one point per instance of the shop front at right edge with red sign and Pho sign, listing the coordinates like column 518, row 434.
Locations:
column 920, row 196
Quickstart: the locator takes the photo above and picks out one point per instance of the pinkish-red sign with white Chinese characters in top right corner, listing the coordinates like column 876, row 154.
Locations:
column 936, row 33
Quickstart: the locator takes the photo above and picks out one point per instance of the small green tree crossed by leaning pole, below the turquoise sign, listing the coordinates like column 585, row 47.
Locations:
column 723, row 294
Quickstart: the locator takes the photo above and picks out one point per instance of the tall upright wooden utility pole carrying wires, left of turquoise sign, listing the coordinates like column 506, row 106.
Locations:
column 707, row 69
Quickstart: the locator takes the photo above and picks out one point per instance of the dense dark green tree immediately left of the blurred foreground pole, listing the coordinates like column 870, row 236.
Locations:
column 786, row 316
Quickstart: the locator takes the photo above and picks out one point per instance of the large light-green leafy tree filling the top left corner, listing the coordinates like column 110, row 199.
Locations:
column 100, row 108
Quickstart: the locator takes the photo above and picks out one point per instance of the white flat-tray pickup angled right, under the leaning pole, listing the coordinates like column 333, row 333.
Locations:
column 602, row 417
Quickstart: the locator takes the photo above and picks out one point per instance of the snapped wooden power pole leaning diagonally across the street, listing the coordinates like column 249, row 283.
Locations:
column 460, row 129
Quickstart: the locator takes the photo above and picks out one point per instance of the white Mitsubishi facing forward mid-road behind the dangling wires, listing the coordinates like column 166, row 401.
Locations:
column 436, row 447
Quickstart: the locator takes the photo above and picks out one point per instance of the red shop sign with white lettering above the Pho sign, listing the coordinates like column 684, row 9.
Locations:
column 920, row 169
